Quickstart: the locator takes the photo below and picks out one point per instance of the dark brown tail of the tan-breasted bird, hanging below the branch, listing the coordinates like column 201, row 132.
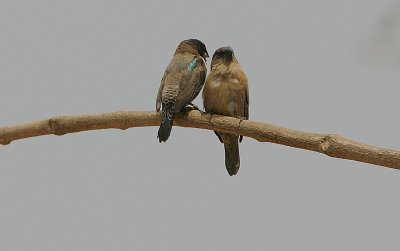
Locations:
column 232, row 158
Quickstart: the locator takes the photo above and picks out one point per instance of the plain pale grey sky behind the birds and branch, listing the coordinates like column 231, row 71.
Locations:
column 121, row 190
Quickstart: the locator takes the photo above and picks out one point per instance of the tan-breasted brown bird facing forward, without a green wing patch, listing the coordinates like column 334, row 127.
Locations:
column 226, row 93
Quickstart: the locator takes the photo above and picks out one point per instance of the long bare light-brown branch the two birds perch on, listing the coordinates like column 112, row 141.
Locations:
column 330, row 144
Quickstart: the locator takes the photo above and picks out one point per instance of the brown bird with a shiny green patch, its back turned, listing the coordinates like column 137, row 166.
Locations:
column 181, row 83
